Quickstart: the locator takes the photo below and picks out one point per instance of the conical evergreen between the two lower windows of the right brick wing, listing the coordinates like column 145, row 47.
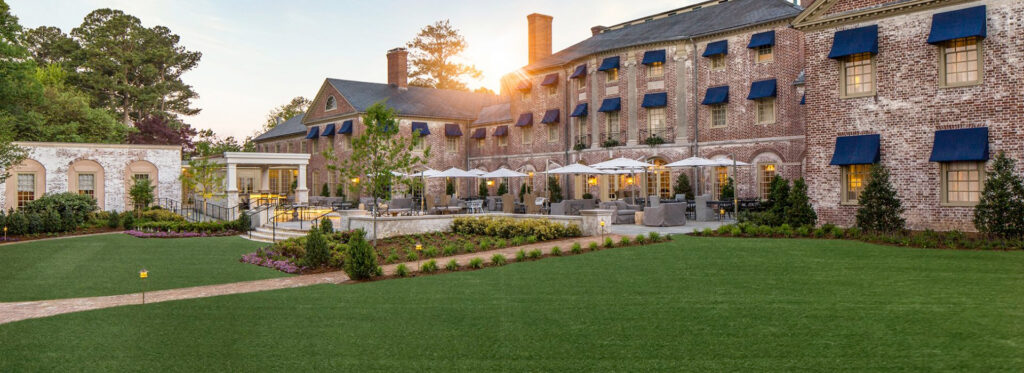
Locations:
column 881, row 210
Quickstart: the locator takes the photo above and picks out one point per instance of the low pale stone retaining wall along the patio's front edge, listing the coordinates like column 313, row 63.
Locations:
column 392, row 227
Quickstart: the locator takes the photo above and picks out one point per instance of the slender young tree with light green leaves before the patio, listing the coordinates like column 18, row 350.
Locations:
column 378, row 152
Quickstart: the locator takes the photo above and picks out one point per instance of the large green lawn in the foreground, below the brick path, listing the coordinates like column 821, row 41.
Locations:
column 693, row 305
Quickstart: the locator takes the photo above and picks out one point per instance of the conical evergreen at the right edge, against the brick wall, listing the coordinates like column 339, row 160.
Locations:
column 1001, row 209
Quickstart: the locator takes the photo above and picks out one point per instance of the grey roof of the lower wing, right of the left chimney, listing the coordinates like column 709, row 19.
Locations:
column 414, row 102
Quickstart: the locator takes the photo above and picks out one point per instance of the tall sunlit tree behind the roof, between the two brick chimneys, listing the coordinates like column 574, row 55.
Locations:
column 436, row 53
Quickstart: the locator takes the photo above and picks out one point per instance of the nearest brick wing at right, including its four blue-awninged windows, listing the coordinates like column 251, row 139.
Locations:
column 930, row 89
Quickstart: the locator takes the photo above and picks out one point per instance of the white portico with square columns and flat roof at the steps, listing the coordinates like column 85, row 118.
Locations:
column 244, row 169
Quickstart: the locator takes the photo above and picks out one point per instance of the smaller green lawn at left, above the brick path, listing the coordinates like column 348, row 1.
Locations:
column 109, row 265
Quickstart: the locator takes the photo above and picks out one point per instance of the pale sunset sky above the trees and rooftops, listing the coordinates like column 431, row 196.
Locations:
column 259, row 55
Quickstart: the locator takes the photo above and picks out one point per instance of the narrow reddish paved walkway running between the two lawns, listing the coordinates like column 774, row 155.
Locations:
column 12, row 312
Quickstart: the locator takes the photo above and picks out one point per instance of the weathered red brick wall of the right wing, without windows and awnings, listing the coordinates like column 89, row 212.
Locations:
column 910, row 107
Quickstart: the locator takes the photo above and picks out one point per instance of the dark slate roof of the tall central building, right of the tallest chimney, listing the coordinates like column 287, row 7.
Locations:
column 706, row 21
